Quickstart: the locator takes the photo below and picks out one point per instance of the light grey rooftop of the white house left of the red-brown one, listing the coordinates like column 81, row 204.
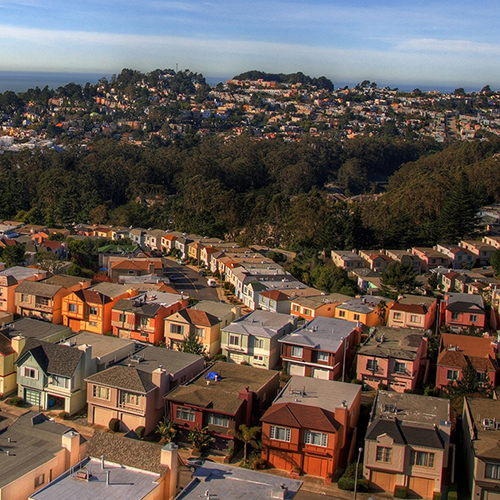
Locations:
column 260, row 324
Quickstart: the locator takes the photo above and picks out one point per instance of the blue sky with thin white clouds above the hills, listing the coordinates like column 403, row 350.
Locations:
column 425, row 43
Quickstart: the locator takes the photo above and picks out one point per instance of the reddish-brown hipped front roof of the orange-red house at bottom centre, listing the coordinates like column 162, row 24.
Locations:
column 301, row 416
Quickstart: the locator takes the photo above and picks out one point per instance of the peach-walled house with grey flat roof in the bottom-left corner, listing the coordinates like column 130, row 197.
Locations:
column 35, row 451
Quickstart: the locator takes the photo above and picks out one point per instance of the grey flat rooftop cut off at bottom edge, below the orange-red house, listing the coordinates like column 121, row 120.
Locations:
column 229, row 482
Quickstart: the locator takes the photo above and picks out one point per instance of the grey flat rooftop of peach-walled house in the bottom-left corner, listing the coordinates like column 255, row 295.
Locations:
column 34, row 441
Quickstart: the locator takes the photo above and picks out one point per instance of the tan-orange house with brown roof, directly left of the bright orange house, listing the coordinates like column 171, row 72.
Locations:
column 43, row 299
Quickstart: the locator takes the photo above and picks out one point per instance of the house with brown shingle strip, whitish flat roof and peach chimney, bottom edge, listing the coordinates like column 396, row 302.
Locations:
column 116, row 468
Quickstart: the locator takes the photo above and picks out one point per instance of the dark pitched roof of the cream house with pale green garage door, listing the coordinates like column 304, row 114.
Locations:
column 56, row 359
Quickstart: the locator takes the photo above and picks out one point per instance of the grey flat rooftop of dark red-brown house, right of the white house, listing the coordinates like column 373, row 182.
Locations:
column 325, row 334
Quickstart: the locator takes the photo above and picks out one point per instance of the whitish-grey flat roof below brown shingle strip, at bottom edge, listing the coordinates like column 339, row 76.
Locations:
column 125, row 483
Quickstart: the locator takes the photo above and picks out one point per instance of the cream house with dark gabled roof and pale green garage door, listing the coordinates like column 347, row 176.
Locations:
column 51, row 376
